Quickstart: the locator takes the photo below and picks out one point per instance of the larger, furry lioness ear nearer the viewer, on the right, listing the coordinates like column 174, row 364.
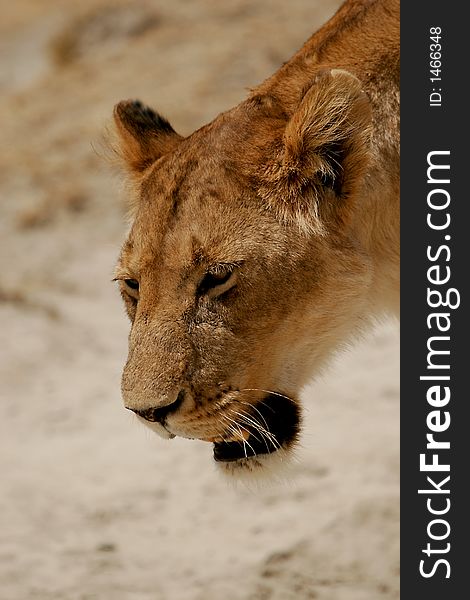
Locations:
column 325, row 148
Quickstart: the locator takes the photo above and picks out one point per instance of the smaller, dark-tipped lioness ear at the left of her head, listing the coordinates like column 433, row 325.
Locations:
column 144, row 136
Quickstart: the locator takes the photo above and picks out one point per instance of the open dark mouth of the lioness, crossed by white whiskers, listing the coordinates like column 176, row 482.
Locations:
column 274, row 424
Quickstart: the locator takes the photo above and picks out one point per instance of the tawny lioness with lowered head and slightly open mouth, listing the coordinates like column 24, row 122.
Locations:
column 263, row 240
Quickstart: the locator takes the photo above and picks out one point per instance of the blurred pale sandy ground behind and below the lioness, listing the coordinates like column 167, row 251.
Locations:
column 92, row 505
